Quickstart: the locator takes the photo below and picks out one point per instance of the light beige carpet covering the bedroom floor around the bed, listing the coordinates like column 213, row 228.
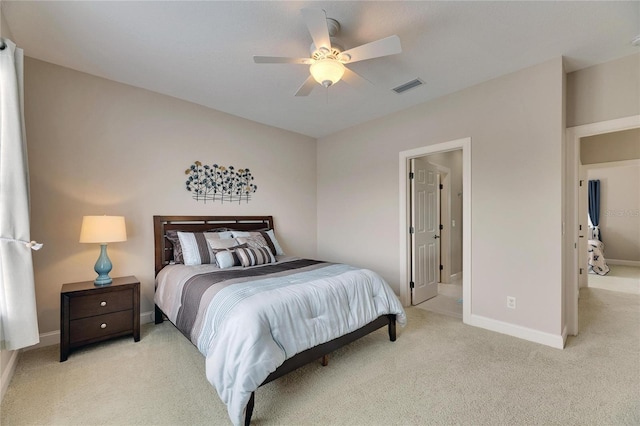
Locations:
column 438, row 372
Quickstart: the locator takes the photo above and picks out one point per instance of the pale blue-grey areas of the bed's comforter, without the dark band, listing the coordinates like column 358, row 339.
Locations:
column 247, row 329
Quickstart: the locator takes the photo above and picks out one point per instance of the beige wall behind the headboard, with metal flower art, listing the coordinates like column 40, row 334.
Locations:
column 100, row 147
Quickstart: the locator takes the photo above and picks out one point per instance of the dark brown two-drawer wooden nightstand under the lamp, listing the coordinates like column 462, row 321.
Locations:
column 90, row 314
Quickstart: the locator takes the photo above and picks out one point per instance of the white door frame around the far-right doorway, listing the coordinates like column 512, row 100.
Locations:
column 571, row 231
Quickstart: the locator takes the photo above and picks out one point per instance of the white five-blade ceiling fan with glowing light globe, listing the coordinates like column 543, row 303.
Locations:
column 327, row 61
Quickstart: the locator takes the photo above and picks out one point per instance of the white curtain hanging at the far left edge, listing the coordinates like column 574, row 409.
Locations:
column 18, row 315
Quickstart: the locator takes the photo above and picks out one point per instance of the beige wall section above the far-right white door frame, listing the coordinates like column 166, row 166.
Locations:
column 604, row 92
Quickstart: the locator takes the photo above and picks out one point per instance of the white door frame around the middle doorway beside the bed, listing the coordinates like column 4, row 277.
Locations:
column 405, row 219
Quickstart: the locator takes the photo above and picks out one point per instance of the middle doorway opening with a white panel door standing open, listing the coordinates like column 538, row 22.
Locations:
column 436, row 232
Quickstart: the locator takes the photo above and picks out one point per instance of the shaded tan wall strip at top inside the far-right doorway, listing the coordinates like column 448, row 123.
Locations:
column 608, row 147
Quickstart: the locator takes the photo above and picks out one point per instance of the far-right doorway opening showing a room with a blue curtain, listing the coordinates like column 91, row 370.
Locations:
column 613, row 160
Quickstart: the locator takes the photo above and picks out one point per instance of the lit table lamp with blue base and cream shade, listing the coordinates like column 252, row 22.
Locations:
column 103, row 230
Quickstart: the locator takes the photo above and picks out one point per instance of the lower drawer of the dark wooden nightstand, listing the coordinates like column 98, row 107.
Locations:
column 100, row 326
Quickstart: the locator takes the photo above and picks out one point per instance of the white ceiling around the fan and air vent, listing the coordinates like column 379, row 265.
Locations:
column 202, row 51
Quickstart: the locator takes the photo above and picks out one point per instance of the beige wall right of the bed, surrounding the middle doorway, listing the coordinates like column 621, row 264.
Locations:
column 516, row 126
